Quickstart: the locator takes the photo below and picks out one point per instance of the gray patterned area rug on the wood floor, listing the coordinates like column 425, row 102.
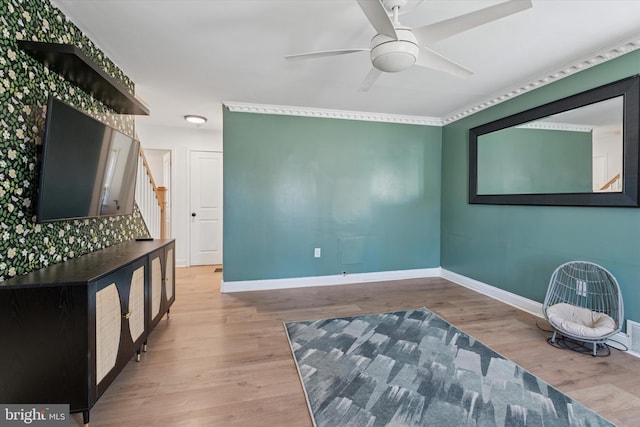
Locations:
column 413, row 368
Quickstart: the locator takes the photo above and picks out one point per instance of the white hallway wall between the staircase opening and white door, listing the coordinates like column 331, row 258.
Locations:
column 180, row 140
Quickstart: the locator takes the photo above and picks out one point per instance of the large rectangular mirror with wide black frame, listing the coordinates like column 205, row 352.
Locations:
column 578, row 151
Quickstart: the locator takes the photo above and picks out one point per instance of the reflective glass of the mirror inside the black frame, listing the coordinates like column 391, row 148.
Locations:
column 574, row 151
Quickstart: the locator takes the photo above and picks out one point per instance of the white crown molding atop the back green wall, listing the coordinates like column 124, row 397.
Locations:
column 331, row 114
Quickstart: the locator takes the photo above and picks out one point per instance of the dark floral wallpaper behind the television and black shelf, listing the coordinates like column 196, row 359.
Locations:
column 25, row 85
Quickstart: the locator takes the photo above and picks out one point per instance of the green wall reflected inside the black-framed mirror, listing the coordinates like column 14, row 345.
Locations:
column 530, row 161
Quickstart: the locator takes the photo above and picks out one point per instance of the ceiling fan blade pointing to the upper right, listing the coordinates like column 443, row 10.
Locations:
column 449, row 27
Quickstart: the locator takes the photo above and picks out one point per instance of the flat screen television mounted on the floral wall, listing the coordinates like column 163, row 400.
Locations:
column 87, row 170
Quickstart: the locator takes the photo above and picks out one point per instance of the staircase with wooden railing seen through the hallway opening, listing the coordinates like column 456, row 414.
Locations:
column 151, row 200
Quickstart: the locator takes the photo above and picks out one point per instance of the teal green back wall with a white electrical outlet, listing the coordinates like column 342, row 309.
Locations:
column 366, row 193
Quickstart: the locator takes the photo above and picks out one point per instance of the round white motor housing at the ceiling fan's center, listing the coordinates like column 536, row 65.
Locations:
column 391, row 55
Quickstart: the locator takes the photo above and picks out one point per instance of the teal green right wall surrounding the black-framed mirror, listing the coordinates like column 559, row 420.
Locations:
column 516, row 248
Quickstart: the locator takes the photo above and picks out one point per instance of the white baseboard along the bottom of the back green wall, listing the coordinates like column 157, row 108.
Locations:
column 338, row 279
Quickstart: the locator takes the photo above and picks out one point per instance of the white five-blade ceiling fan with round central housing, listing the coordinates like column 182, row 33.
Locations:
column 396, row 48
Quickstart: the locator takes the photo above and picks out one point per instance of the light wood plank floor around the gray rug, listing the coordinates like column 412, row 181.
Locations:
column 224, row 360
